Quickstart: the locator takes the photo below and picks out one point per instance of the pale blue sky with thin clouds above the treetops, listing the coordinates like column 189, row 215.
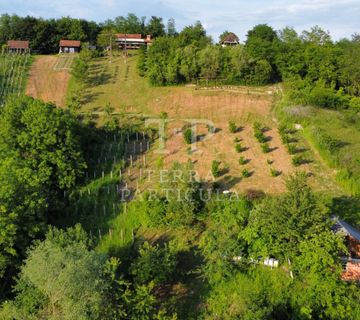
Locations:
column 340, row 17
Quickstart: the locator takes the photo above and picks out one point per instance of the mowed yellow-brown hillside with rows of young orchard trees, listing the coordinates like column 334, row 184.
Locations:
column 116, row 83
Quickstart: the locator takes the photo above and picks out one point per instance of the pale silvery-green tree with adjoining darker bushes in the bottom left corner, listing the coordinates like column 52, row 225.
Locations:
column 64, row 278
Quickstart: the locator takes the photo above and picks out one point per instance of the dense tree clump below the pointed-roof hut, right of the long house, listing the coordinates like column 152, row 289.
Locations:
column 191, row 56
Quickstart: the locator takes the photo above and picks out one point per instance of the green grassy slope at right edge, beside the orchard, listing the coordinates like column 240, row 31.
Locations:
column 334, row 135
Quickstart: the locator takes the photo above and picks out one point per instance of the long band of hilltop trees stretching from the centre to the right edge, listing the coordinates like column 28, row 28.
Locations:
column 316, row 69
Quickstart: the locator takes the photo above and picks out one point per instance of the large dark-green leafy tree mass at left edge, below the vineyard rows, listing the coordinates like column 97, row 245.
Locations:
column 41, row 158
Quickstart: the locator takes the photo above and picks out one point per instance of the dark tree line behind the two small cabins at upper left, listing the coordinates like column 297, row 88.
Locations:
column 44, row 34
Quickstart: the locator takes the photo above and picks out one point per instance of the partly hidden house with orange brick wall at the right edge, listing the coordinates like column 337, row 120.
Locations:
column 352, row 240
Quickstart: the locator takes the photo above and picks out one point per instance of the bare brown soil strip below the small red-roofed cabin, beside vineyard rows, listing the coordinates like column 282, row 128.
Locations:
column 45, row 83
